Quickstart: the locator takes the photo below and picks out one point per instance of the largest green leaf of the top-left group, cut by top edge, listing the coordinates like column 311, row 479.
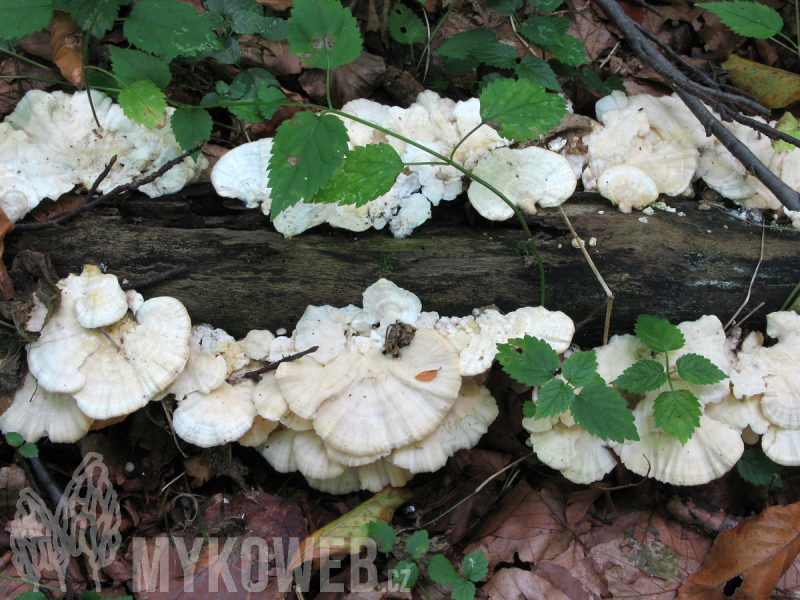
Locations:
column 168, row 28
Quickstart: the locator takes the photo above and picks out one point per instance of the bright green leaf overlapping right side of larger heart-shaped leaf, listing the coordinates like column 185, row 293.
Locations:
column 366, row 173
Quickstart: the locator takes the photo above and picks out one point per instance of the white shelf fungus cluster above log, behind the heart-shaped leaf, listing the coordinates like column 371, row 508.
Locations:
column 437, row 123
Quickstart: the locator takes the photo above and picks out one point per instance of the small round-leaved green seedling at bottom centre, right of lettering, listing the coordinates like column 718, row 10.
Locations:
column 407, row 572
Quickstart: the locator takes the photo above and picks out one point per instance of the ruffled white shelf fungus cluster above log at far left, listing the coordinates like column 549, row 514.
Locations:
column 51, row 143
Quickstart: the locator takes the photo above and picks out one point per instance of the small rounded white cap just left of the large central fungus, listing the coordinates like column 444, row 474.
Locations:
column 221, row 416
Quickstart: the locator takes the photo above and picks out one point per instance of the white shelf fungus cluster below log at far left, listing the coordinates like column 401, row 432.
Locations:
column 102, row 354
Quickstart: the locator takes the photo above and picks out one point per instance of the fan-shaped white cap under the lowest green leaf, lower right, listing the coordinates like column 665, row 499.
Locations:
column 710, row 453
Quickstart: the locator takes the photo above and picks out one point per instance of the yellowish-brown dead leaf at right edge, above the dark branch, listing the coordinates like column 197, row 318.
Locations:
column 774, row 88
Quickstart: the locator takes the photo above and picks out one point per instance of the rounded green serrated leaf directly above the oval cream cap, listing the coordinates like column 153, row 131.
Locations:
column 520, row 110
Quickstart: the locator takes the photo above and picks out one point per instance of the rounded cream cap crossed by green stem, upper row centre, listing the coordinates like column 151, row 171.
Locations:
column 526, row 177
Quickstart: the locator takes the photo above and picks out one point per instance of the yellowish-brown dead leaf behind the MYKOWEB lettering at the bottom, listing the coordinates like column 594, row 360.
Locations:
column 346, row 530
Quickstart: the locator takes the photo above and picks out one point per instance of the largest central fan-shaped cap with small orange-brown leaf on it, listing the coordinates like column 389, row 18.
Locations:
column 367, row 403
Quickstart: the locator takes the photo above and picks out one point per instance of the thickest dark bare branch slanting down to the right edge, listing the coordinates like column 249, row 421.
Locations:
column 680, row 83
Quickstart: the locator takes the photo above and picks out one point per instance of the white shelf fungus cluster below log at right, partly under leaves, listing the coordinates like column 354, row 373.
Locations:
column 759, row 400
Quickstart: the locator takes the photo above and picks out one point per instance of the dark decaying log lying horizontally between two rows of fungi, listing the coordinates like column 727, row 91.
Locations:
column 243, row 275
